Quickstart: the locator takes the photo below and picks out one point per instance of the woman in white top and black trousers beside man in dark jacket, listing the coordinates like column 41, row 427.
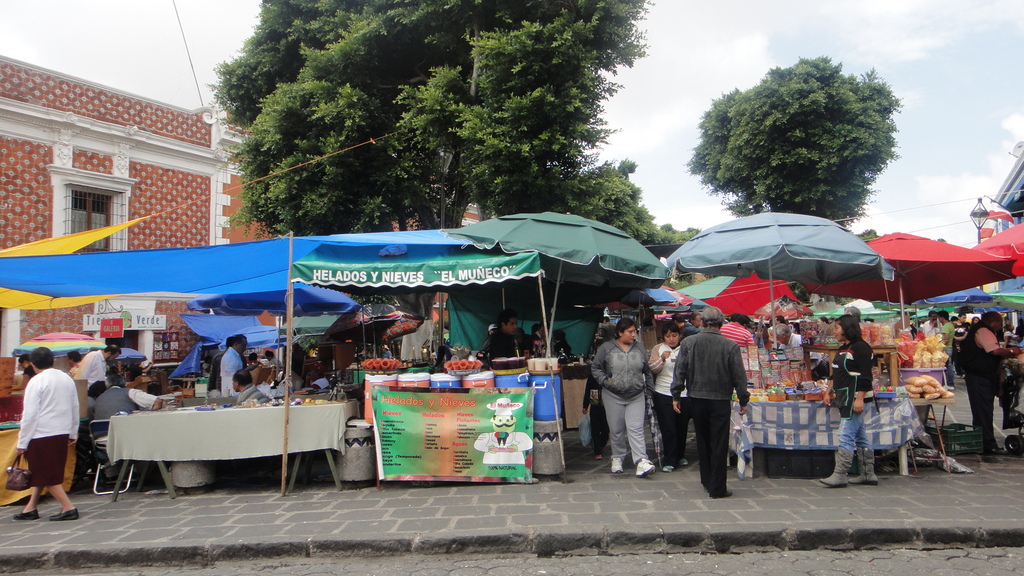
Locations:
column 673, row 426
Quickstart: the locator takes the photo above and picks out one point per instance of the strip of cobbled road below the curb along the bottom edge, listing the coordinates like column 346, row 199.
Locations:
column 992, row 562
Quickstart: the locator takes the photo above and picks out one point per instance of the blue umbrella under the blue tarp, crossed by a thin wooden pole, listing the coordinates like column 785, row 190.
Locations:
column 309, row 301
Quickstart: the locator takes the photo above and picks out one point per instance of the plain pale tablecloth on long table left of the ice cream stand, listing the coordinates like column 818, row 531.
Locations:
column 228, row 434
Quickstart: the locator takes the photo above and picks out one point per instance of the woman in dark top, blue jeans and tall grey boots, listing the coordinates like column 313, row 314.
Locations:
column 852, row 384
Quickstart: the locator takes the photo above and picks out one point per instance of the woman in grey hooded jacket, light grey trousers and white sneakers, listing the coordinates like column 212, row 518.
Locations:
column 621, row 368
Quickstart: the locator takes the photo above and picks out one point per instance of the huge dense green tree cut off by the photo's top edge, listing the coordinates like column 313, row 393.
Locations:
column 511, row 92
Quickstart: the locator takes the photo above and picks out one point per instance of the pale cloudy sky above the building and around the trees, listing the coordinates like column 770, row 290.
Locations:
column 955, row 65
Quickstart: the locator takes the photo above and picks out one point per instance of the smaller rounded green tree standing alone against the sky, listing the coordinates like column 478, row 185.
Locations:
column 807, row 140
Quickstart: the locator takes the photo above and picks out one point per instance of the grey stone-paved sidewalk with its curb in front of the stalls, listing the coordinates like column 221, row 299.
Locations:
column 595, row 513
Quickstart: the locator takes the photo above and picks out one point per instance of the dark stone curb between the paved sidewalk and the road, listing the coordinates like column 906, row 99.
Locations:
column 540, row 542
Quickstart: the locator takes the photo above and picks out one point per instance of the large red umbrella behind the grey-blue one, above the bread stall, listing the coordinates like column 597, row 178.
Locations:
column 924, row 269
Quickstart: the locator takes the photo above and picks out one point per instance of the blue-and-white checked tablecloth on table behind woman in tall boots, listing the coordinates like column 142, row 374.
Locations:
column 813, row 426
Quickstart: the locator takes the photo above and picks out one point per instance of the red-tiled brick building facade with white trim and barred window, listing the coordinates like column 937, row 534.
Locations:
column 75, row 155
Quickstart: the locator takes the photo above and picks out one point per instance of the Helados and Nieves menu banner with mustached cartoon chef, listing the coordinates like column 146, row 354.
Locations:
column 467, row 435
